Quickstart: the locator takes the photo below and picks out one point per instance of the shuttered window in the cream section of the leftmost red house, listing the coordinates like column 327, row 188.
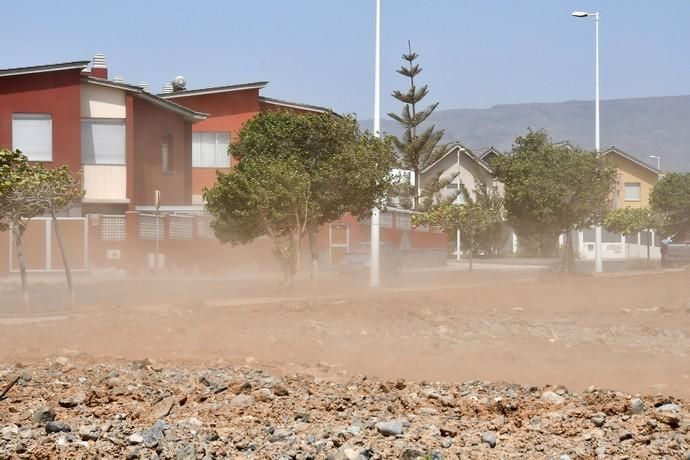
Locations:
column 103, row 142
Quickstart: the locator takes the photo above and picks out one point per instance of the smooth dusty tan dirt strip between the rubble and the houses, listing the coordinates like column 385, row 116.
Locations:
column 627, row 332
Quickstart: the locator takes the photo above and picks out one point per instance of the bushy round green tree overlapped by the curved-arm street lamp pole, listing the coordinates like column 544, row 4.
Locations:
column 554, row 188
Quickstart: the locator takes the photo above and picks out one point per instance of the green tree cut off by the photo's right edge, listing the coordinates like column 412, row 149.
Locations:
column 670, row 198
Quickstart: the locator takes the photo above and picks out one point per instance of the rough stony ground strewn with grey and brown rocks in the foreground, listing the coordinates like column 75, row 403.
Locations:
column 77, row 408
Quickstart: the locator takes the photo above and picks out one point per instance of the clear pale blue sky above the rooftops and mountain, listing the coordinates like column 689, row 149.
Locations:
column 475, row 53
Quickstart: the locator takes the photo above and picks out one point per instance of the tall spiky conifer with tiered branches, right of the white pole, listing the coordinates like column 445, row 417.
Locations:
column 416, row 151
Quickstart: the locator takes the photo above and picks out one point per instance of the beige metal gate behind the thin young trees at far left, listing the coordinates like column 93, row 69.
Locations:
column 41, row 249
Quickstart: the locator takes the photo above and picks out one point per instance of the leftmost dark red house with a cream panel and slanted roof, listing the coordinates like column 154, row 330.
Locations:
column 124, row 141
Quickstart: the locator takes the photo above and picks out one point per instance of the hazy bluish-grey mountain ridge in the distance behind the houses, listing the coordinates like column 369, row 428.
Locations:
column 640, row 127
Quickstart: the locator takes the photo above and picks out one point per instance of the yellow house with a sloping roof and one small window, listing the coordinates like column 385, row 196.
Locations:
column 635, row 179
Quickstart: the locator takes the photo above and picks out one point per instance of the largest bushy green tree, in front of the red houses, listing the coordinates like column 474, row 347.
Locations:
column 347, row 172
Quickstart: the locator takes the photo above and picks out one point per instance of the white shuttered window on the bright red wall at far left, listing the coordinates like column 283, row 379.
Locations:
column 32, row 133
